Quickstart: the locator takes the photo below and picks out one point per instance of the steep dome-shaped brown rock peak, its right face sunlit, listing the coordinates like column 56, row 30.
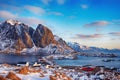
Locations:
column 43, row 36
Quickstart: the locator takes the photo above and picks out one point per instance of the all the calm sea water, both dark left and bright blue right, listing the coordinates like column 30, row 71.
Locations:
column 82, row 60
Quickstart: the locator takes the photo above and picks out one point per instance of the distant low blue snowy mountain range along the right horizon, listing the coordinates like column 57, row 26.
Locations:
column 92, row 50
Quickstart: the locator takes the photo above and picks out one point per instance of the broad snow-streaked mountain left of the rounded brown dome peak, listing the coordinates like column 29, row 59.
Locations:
column 15, row 36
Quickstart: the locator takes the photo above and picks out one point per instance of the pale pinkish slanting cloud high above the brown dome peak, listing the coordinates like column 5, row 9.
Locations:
column 35, row 9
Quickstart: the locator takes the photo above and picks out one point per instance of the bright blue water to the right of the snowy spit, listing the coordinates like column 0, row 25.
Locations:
column 96, row 61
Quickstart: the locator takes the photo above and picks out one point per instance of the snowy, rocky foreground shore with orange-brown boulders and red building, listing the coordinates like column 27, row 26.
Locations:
column 52, row 71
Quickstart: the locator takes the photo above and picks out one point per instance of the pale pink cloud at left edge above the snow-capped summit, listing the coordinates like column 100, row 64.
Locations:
column 7, row 15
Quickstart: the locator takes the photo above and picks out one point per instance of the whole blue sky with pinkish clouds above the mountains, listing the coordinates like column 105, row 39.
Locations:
column 88, row 22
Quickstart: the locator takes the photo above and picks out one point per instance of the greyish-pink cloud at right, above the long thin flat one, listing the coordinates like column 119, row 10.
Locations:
column 97, row 24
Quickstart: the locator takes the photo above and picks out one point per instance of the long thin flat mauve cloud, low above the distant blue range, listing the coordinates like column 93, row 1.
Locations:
column 93, row 36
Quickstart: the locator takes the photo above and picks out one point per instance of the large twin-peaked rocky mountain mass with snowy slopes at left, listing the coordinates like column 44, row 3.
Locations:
column 17, row 37
